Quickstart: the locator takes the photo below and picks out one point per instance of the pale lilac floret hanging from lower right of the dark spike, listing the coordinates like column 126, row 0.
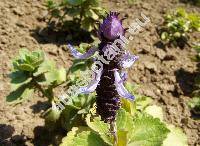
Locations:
column 120, row 87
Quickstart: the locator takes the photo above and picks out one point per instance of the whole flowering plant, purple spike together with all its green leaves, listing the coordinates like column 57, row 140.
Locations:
column 101, row 118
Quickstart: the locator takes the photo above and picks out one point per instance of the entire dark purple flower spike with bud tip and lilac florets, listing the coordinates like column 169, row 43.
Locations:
column 108, row 81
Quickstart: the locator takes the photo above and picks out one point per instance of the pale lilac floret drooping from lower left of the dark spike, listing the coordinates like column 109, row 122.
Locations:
column 92, row 86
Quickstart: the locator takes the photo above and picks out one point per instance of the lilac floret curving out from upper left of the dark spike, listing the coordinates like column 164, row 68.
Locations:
column 79, row 55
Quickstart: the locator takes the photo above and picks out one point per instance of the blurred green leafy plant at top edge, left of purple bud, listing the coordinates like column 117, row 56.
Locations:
column 83, row 13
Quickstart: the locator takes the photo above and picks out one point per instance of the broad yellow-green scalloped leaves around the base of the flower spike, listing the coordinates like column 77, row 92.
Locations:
column 138, row 123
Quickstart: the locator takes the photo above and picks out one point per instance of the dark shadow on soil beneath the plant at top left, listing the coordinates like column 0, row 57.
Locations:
column 70, row 33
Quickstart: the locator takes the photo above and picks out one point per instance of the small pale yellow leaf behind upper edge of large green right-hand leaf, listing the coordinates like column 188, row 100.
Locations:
column 155, row 111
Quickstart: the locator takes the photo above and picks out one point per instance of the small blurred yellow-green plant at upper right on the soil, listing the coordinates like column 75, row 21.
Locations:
column 177, row 26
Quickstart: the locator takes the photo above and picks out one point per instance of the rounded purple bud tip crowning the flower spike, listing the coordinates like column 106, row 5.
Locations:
column 111, row 28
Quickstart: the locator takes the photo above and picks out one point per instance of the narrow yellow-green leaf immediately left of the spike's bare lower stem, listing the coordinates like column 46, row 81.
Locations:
column 101, row 128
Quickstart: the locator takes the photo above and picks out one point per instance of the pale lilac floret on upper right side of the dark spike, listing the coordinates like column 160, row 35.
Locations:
column 128, row 60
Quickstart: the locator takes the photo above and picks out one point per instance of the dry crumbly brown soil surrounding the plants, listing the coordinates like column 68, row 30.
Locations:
column 164, row 73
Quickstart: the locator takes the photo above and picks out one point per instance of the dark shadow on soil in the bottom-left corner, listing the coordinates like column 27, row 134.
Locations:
column 8, row 139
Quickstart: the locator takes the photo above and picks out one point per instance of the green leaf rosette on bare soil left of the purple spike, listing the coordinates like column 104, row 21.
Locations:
column 31, row 71
